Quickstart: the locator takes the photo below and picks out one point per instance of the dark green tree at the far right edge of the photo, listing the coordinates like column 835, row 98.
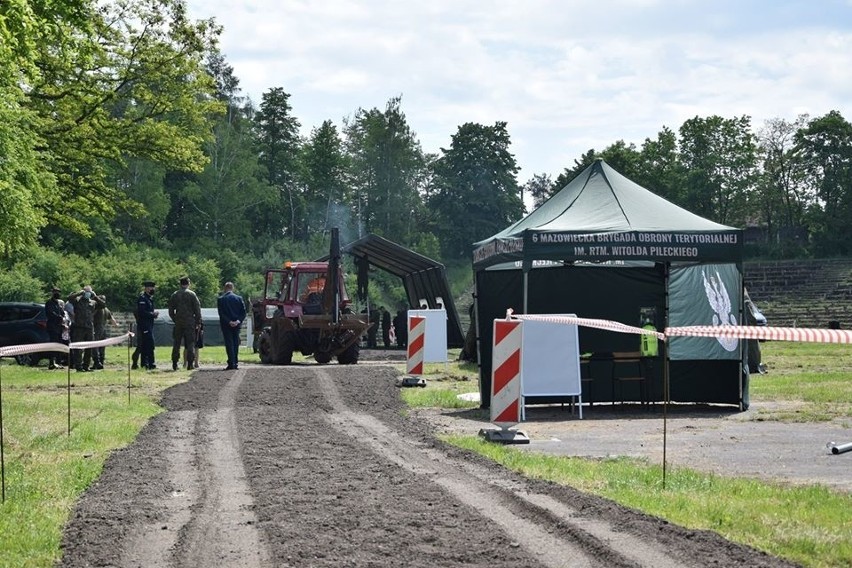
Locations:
column 825, row 148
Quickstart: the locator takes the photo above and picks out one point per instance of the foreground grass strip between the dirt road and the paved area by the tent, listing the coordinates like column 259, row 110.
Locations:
column 808, row 525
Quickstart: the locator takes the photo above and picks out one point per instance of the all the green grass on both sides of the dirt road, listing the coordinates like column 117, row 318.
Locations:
column 47, row 468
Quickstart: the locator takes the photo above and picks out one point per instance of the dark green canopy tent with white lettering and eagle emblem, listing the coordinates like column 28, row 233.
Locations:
column 604, row 247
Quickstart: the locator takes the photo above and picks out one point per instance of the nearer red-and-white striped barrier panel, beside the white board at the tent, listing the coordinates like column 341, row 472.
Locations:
column 506, row 373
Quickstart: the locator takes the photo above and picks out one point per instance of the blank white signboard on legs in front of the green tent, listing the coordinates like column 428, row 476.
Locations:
column 551, row 360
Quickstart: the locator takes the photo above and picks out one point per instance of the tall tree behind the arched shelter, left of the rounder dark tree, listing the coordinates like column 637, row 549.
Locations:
column 387, row 169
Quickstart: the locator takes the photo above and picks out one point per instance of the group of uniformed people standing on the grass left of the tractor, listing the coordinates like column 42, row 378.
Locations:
column 84, row 316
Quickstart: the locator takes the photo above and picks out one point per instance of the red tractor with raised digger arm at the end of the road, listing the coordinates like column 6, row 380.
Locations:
column 305, row 308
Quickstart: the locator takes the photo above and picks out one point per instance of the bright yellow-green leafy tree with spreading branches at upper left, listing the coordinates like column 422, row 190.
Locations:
column 131, row 83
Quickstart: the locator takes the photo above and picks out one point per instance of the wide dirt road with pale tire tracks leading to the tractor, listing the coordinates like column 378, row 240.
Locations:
column 320, row 466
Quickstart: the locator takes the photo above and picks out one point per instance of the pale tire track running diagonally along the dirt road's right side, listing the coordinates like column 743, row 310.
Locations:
column 584, row 540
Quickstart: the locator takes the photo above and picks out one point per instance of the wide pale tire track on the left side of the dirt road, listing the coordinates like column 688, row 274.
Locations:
column 209, row 512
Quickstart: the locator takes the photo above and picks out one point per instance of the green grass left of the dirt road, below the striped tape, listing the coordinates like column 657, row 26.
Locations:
column 48, row 468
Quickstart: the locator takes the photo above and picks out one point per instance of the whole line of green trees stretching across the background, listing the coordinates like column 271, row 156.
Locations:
column 126, row 143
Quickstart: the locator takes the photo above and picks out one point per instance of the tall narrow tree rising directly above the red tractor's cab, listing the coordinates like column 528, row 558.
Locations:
column 279, row 146
